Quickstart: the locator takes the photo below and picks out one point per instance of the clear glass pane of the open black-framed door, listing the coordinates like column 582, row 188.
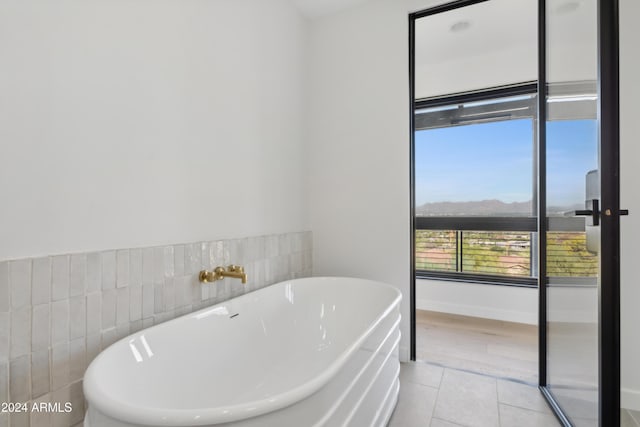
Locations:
column 572, row 186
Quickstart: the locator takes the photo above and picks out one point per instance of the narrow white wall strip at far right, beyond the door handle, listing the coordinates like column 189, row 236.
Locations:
column 630, row 199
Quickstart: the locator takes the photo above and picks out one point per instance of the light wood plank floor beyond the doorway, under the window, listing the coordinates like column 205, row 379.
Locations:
column 491, row 347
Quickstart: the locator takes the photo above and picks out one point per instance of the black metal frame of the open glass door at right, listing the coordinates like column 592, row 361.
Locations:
column 609, row 283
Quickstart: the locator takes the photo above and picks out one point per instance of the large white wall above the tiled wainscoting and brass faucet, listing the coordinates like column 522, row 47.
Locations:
column 129, row 123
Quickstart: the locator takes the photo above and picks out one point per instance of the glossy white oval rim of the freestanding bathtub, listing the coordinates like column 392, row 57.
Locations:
column 123, row 411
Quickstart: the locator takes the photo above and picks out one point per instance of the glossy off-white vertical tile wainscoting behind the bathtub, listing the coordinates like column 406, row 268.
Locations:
column 58, row 312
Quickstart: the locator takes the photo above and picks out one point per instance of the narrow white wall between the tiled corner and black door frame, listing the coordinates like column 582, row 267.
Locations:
column 359, row 151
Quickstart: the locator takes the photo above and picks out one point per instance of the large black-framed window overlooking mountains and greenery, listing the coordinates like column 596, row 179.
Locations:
column 476, row 191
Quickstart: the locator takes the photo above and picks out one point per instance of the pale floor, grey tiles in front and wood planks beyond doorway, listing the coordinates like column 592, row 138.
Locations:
column 475, row 372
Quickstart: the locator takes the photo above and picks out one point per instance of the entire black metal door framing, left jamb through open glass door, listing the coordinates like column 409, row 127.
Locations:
column 609, row 136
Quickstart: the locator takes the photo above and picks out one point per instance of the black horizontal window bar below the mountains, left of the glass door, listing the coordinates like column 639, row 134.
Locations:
column 477, row 223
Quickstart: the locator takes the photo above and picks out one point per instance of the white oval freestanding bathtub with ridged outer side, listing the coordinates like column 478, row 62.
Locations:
column 305, row 352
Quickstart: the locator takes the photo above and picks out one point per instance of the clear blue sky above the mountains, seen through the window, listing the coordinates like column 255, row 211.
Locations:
column 494, row 161
